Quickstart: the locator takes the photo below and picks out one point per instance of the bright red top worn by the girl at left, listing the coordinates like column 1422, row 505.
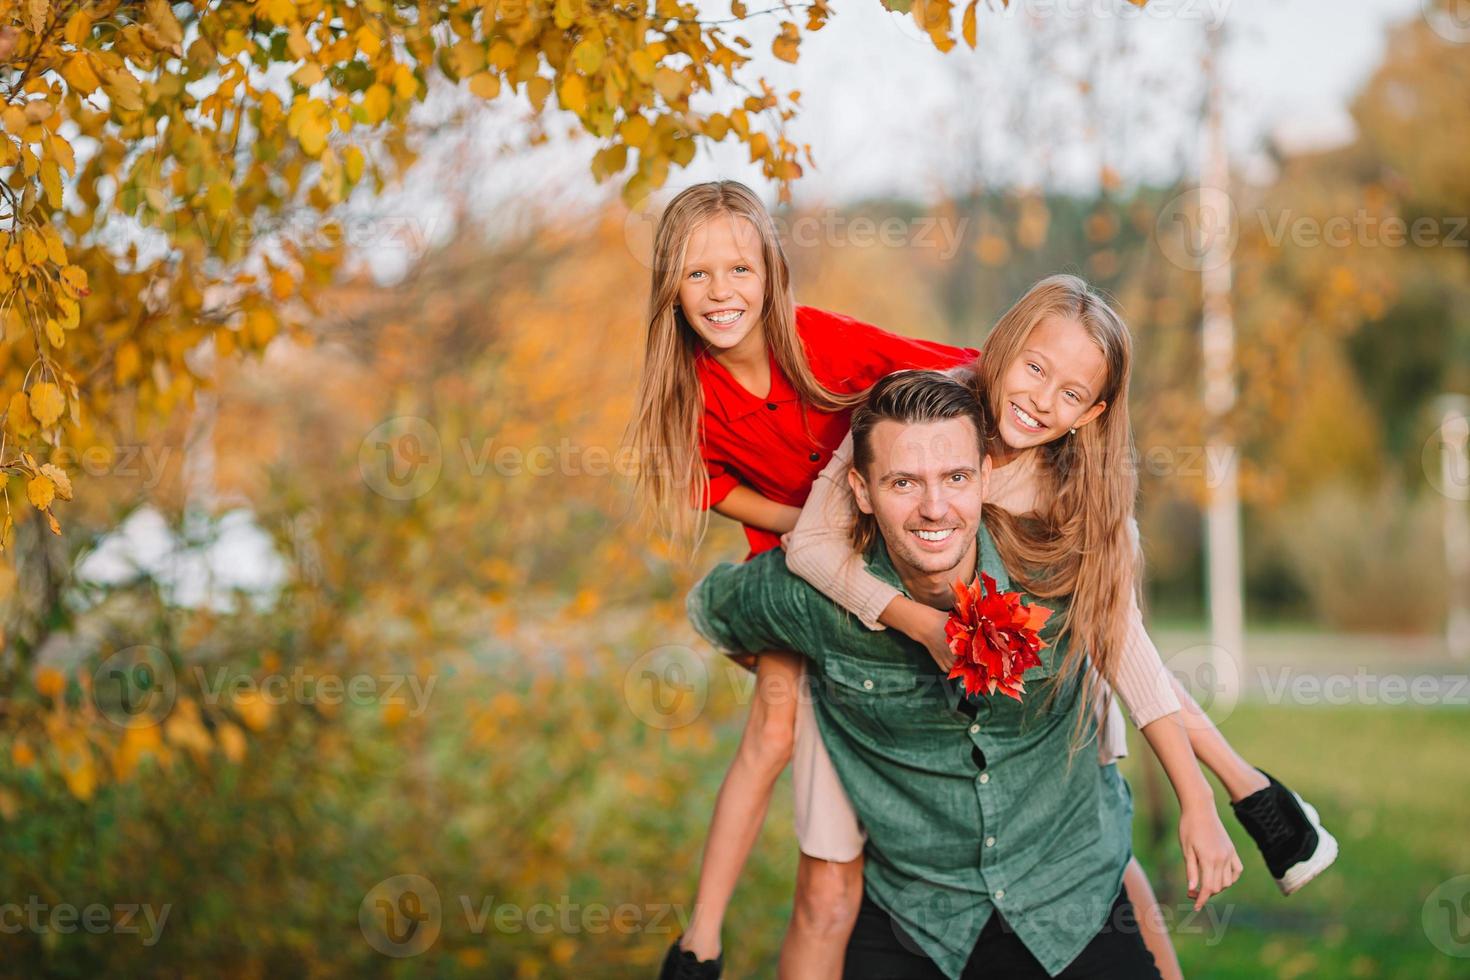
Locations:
column 762, row 443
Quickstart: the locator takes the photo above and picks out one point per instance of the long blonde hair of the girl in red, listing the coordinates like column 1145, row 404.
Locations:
column 667, row 430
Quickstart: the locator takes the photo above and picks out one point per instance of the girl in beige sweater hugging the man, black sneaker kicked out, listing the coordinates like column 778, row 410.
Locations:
column 1046, row 392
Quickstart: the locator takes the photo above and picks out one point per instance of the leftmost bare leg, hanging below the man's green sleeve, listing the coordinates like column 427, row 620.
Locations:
column 740, row 809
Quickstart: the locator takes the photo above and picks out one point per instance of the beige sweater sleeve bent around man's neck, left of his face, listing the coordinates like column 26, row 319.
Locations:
column 820, row 547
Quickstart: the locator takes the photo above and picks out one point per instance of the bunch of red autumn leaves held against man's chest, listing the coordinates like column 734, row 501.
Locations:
column 994, row 638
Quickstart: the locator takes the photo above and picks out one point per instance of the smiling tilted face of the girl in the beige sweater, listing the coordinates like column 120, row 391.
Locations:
column 1053, row 386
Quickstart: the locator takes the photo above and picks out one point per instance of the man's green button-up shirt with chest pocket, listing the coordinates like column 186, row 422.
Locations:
column 965, row 815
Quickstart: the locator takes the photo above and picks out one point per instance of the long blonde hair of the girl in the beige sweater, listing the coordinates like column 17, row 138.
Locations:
column 1080, row 543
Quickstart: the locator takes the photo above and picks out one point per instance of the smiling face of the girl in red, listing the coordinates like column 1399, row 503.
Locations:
column 723, row 286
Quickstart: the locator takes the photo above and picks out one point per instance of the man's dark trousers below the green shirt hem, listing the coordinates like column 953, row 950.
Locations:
column 877, row 953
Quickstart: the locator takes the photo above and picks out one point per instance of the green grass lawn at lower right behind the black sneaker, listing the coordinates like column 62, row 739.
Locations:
column 1391, row 785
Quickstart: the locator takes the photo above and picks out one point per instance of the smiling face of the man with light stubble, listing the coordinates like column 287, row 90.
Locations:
column 925, row 486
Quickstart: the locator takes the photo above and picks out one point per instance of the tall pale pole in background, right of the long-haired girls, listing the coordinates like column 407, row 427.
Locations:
column 1218, row 340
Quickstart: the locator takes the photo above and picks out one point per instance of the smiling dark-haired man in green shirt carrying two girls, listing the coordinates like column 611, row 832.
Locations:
column 996, row 846
